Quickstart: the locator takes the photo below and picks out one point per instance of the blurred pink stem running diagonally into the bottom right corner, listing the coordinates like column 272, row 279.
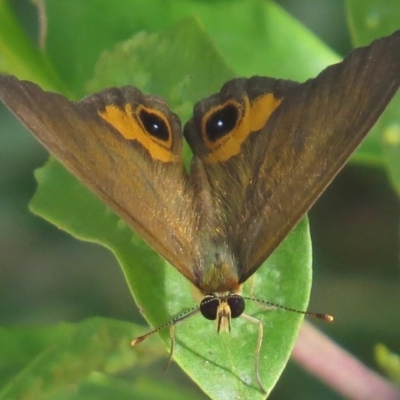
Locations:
column 320, row 356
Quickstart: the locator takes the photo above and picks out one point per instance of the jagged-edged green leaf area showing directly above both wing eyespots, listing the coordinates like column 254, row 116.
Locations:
column 174, row 64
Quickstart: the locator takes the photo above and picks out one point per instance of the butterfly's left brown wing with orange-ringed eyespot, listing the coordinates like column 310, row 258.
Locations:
column 125, row 146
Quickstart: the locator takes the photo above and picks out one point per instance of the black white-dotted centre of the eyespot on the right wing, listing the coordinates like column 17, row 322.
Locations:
column 221, row 122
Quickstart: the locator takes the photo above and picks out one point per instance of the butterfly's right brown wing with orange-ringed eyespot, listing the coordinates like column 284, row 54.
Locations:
column 269, row 147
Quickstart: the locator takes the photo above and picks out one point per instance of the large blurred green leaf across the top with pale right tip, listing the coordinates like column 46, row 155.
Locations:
column 248, row 33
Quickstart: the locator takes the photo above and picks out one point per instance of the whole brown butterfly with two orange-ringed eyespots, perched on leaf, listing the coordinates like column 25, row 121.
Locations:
column 264, row 150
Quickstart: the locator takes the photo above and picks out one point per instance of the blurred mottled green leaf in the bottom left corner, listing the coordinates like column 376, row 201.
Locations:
column 52, row 358
